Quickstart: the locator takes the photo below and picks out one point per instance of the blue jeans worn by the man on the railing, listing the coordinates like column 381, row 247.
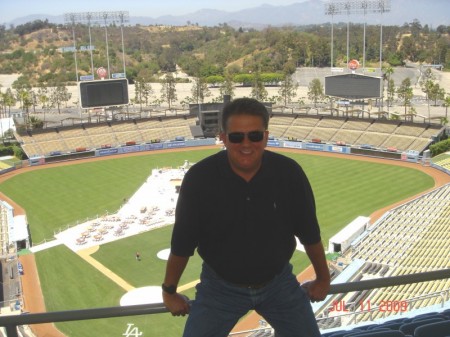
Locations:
column 219, row 305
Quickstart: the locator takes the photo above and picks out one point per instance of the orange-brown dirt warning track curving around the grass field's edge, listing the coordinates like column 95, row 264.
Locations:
column 34, row 301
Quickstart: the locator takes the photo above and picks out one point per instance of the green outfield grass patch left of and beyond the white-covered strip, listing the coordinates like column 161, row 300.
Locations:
column 61, row 196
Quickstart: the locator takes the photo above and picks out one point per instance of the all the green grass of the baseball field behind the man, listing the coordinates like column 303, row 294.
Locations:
column 56, row 197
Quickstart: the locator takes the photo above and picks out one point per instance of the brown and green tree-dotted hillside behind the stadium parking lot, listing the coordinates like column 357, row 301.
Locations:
column 43, row 52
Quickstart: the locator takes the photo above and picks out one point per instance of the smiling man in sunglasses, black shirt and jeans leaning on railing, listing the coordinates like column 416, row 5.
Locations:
column 242, row 209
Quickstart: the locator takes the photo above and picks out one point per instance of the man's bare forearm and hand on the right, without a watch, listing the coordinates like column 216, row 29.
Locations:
column 318, row 289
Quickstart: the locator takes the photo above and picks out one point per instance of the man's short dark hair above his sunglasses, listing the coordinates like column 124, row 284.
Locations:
column 245, row 106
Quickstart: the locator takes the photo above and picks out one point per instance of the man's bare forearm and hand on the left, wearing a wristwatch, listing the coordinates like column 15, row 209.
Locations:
column 175, row 303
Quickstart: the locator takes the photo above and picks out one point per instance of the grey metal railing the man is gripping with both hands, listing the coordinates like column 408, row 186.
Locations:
column 13, row 321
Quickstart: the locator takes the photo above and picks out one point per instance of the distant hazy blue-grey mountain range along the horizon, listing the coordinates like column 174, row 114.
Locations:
column 432, row 13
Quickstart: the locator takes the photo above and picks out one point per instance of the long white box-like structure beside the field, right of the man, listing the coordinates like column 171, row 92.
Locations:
column 343, row 239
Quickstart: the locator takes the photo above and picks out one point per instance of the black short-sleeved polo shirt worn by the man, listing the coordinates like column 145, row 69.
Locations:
column 244, row 230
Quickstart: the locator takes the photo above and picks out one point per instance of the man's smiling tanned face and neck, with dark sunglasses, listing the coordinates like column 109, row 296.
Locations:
column 245, row 156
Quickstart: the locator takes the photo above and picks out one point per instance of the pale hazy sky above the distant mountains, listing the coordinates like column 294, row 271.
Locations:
column 12, row 9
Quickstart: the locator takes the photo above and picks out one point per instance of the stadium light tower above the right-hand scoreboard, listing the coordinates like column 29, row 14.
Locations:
column 336, row 7
